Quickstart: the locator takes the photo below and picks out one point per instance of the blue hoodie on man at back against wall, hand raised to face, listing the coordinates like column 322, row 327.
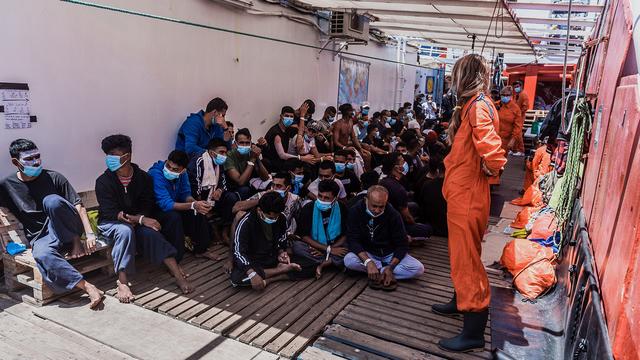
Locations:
column 193, row 137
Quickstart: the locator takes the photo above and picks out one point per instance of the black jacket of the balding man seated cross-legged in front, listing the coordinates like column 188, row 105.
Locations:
column 379, row 236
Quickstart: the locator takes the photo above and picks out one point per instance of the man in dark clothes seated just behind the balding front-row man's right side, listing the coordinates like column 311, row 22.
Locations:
column 395, row 167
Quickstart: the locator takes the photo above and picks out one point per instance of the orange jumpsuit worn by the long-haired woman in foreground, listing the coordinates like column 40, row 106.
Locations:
column 466, row 190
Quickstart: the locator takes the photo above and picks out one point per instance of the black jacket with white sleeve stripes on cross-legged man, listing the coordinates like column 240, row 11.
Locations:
column 251, row 248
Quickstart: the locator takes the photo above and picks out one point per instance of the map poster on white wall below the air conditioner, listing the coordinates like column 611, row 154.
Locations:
column 353, row 82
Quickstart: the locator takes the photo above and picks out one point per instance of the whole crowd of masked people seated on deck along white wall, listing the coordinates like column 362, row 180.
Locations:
column 353, row 189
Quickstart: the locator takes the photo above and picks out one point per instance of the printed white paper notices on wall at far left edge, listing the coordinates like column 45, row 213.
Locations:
column 14, row 106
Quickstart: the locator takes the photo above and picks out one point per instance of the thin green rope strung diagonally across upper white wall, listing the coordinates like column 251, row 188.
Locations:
column 262, row 37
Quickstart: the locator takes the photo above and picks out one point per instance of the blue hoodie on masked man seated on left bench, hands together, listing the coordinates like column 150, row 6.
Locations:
column 168, row 192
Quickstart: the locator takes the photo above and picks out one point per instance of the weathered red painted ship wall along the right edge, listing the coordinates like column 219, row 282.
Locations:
column 611, row 183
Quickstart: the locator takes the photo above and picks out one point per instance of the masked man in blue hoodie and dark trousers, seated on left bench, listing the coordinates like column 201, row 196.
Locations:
column 177, row 211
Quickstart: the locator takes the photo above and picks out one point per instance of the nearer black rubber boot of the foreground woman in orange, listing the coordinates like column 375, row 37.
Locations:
column 472, row 336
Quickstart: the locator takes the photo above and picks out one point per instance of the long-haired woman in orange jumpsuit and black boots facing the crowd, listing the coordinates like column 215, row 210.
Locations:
column 475, row 155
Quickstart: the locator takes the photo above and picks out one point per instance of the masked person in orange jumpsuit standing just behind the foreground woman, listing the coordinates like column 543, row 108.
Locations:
column 510, row 120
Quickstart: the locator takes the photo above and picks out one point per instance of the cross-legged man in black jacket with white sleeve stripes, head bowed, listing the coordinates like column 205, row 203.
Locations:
column 260, row 245
